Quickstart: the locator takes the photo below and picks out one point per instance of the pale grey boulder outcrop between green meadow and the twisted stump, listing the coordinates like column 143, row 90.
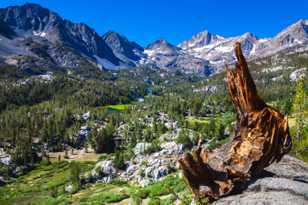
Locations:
column 142, row 170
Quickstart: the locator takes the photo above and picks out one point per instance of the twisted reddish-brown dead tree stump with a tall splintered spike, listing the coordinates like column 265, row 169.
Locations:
column 262, row 138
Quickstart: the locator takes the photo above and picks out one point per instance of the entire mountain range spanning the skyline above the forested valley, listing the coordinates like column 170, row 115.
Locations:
column 32, row 36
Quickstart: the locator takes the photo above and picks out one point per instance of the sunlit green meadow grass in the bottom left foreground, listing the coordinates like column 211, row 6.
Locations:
column 45, row 185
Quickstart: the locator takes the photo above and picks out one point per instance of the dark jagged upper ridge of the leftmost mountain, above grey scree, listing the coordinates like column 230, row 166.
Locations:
column 33, row 20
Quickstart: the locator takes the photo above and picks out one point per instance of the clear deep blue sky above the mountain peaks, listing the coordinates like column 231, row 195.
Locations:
column 144, row 21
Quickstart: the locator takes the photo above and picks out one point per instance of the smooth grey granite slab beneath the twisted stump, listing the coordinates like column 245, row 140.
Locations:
column 283, row 183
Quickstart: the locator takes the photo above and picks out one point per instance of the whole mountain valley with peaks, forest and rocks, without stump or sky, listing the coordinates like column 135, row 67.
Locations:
column 87, row 118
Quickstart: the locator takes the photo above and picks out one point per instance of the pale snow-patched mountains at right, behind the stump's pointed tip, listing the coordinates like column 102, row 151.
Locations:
column 219, row 50
